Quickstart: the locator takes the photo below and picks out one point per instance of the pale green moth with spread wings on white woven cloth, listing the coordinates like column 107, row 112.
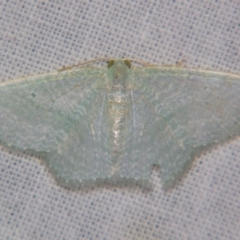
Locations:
column 98, row 123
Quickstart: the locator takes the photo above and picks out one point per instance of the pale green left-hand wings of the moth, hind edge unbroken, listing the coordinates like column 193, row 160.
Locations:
column 60, row 115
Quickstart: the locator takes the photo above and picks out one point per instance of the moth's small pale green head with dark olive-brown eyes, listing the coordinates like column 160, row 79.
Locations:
column 119, row 69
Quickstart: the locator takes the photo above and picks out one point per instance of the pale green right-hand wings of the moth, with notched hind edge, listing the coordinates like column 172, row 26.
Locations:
column 177, row 112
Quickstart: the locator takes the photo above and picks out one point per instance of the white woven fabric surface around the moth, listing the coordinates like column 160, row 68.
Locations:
column 41, row 36
